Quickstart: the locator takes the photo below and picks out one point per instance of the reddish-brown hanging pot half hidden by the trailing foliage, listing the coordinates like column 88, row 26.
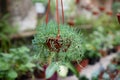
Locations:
column 55, row 44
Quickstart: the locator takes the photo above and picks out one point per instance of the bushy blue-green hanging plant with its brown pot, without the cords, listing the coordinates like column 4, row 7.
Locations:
column 67, row 48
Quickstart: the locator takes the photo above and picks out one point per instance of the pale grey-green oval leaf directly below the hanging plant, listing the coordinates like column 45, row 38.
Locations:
column 51, row 70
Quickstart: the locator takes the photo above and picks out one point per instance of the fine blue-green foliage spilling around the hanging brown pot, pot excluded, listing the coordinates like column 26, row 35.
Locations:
column 74, row 52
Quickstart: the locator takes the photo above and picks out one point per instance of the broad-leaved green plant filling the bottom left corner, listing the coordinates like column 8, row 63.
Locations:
column 17, row 64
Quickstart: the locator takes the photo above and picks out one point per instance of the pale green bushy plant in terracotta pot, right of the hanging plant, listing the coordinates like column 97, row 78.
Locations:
column 98, row 38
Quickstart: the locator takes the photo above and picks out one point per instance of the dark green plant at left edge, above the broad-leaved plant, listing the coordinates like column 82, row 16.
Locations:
column 5, row 33
